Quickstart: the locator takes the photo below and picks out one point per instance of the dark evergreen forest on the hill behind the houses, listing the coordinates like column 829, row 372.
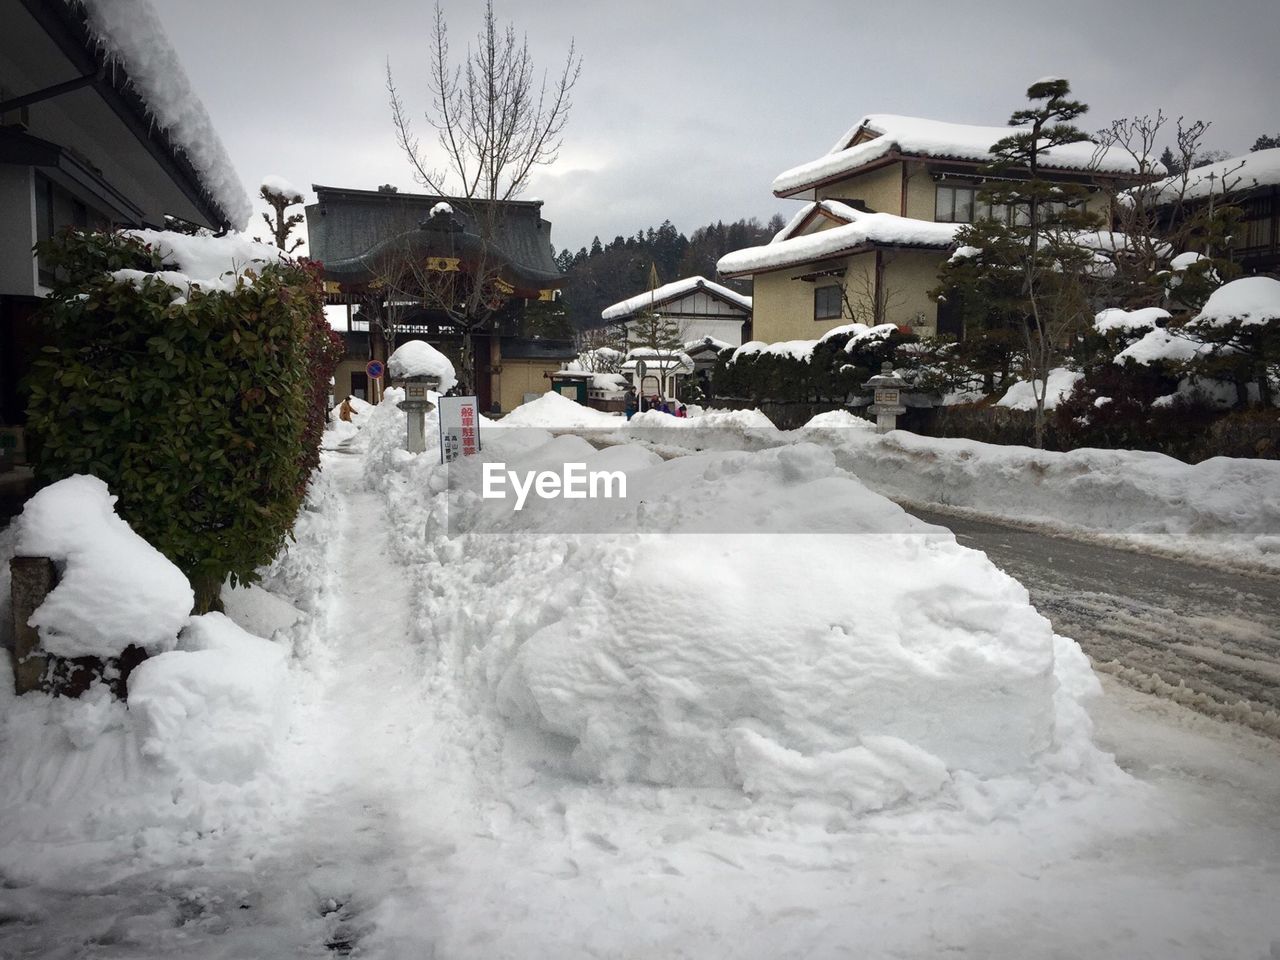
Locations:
column 607, row 273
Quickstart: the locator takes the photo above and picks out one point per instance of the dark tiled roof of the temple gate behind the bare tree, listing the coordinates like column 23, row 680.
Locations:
column 350, row 228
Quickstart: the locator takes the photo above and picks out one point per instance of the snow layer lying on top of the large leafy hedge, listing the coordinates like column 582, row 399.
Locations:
column 209, row 263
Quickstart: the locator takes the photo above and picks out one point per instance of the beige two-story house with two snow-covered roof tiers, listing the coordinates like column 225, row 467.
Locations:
column 881, row 217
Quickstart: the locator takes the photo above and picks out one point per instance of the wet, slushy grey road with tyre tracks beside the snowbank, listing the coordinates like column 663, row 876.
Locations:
column 1203, row 637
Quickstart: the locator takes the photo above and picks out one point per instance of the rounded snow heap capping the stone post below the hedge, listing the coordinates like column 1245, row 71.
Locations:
column 115, row 588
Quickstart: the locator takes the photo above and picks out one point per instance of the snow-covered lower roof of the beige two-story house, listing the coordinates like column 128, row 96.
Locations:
column 857, row 230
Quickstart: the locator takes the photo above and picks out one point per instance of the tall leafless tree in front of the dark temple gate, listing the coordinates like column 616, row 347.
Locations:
column 496, row 122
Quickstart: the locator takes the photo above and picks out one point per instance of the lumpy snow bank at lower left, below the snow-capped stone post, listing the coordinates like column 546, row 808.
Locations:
column 92, row 787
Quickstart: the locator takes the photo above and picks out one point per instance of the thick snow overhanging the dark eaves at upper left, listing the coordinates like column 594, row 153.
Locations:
column 131, row 35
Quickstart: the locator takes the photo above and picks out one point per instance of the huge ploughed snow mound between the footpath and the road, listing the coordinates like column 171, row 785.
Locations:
column 694, row 656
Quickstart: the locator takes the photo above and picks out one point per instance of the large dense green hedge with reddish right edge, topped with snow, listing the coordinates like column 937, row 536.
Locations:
column 188, row 373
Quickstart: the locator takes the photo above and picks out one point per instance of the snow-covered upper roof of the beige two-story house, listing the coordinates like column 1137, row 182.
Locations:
column 880, row 136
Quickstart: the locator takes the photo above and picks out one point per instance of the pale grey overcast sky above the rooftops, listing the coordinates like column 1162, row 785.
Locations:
column 688, row 111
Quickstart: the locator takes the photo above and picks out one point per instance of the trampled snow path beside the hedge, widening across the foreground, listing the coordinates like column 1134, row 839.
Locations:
column 422, row 822
